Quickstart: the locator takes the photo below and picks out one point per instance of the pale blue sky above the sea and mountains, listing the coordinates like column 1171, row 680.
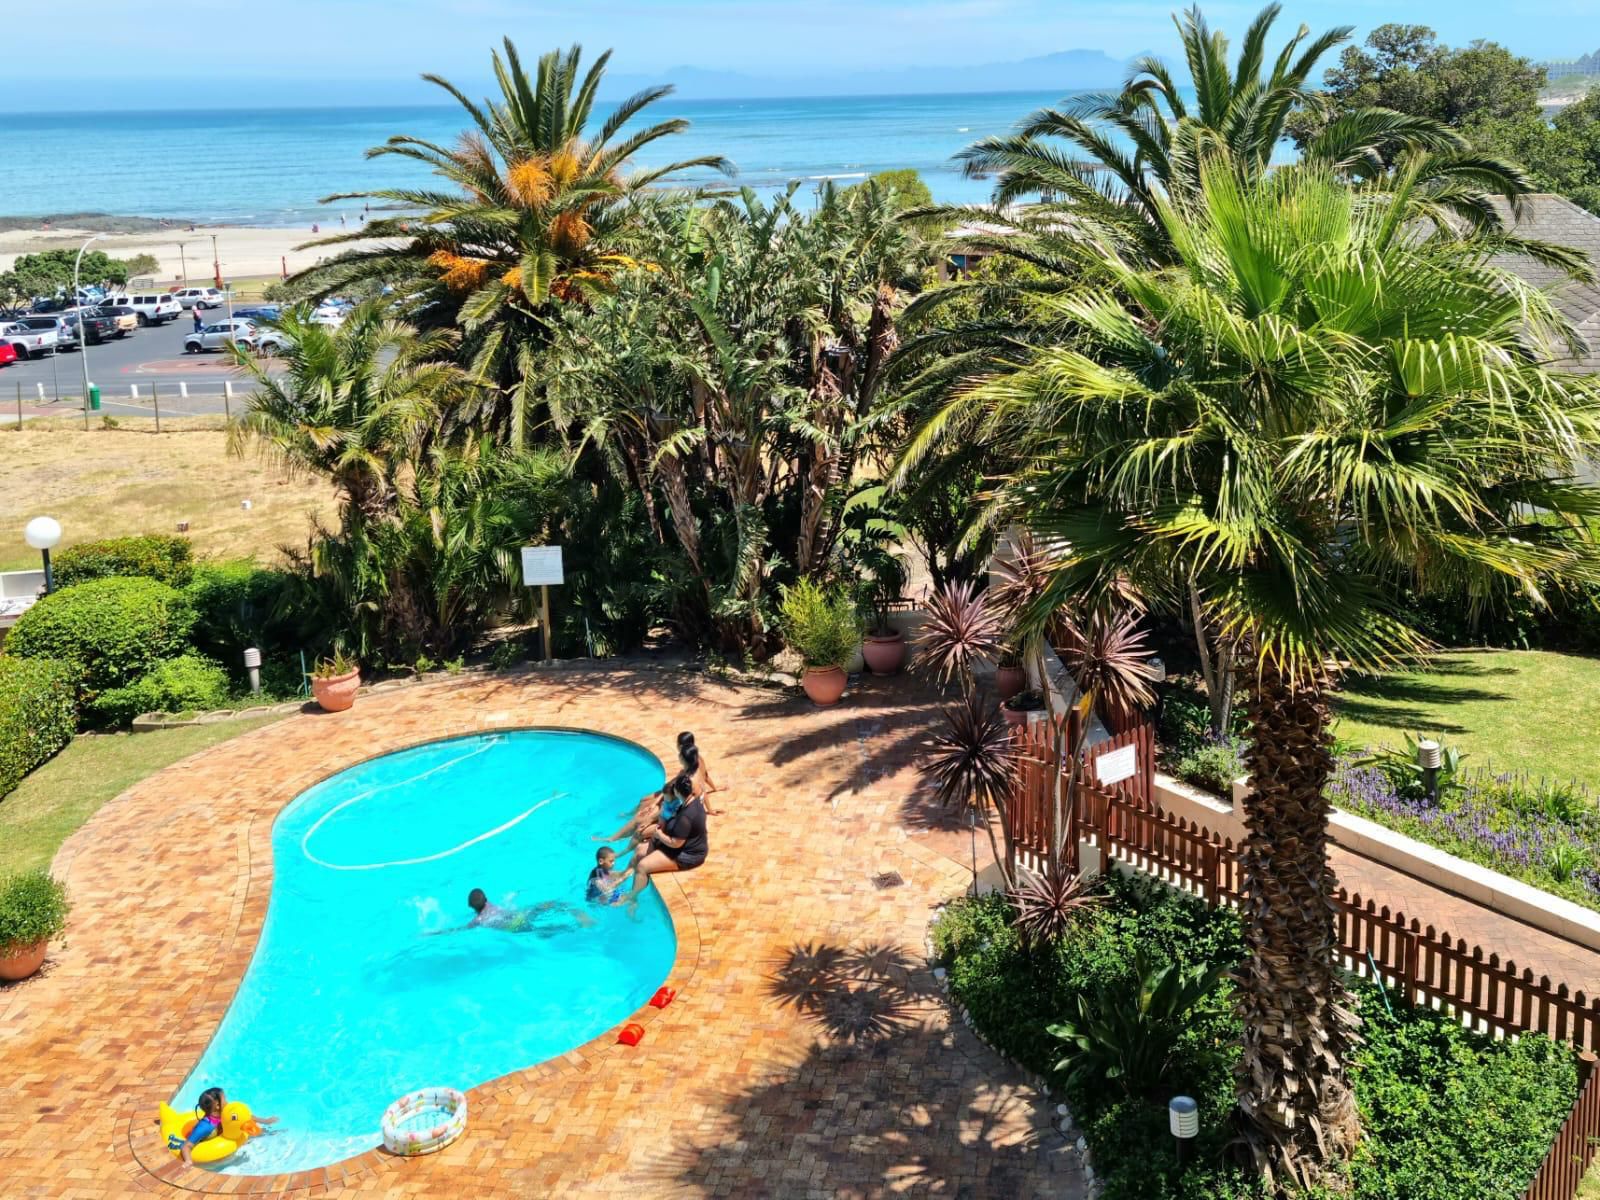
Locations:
column 343, row 46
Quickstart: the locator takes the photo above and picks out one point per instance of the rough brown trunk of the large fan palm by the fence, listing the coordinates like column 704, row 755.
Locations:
column 1292, row 1082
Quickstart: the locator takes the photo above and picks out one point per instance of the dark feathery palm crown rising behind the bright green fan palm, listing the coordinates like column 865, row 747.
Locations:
column 1114, row 158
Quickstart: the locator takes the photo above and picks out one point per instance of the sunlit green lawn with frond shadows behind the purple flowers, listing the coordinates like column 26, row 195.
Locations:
column 1511, row 710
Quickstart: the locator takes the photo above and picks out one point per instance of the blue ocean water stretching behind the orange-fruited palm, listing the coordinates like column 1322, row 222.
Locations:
column 271, row 167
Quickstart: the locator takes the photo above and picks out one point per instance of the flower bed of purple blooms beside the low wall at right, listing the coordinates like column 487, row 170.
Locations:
column 1543, row 834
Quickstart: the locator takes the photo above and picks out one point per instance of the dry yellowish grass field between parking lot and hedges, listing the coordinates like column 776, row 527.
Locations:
column 126, row 481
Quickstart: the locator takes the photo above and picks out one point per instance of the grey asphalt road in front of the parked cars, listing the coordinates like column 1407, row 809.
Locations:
column 151, row 361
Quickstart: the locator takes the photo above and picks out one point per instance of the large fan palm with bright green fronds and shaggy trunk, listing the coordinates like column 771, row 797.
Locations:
column 1308, row 410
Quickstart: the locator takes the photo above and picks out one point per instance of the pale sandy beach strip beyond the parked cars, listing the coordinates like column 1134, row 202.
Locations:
column 242, row 250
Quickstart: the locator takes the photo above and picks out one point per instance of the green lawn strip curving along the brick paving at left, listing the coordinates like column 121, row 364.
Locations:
column 63, row 794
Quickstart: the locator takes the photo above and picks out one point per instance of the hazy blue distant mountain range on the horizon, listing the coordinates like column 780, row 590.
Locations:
column 1065, row 71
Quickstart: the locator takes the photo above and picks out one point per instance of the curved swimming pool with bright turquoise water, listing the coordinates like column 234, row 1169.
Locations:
column 351, row 1002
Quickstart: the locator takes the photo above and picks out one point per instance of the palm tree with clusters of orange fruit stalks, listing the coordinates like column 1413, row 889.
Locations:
column 535, row 212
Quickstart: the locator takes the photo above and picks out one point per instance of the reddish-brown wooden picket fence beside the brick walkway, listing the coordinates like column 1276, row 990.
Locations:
column 1426, row 966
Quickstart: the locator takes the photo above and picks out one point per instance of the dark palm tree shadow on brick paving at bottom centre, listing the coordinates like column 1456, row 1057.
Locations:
column 886, row 1100
